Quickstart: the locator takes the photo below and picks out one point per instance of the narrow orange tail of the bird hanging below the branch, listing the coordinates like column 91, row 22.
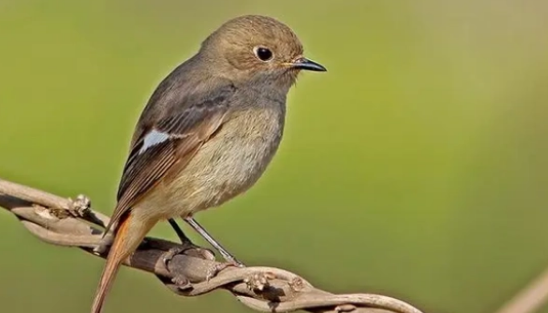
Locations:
column 118, row 252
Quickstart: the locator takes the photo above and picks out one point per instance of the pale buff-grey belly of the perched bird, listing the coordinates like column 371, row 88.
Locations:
column 225, row 166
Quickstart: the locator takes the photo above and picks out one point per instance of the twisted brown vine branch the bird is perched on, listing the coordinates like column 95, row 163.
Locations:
column 72, row 223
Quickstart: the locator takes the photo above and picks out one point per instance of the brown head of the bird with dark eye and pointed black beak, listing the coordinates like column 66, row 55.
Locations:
column 257, row 48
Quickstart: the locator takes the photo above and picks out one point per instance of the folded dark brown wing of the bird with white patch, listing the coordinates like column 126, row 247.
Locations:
column 170, row 140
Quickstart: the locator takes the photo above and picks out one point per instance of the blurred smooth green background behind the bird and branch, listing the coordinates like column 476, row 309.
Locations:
column 415, row 167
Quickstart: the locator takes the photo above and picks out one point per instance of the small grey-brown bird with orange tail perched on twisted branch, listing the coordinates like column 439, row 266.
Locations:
column 207, row 133
